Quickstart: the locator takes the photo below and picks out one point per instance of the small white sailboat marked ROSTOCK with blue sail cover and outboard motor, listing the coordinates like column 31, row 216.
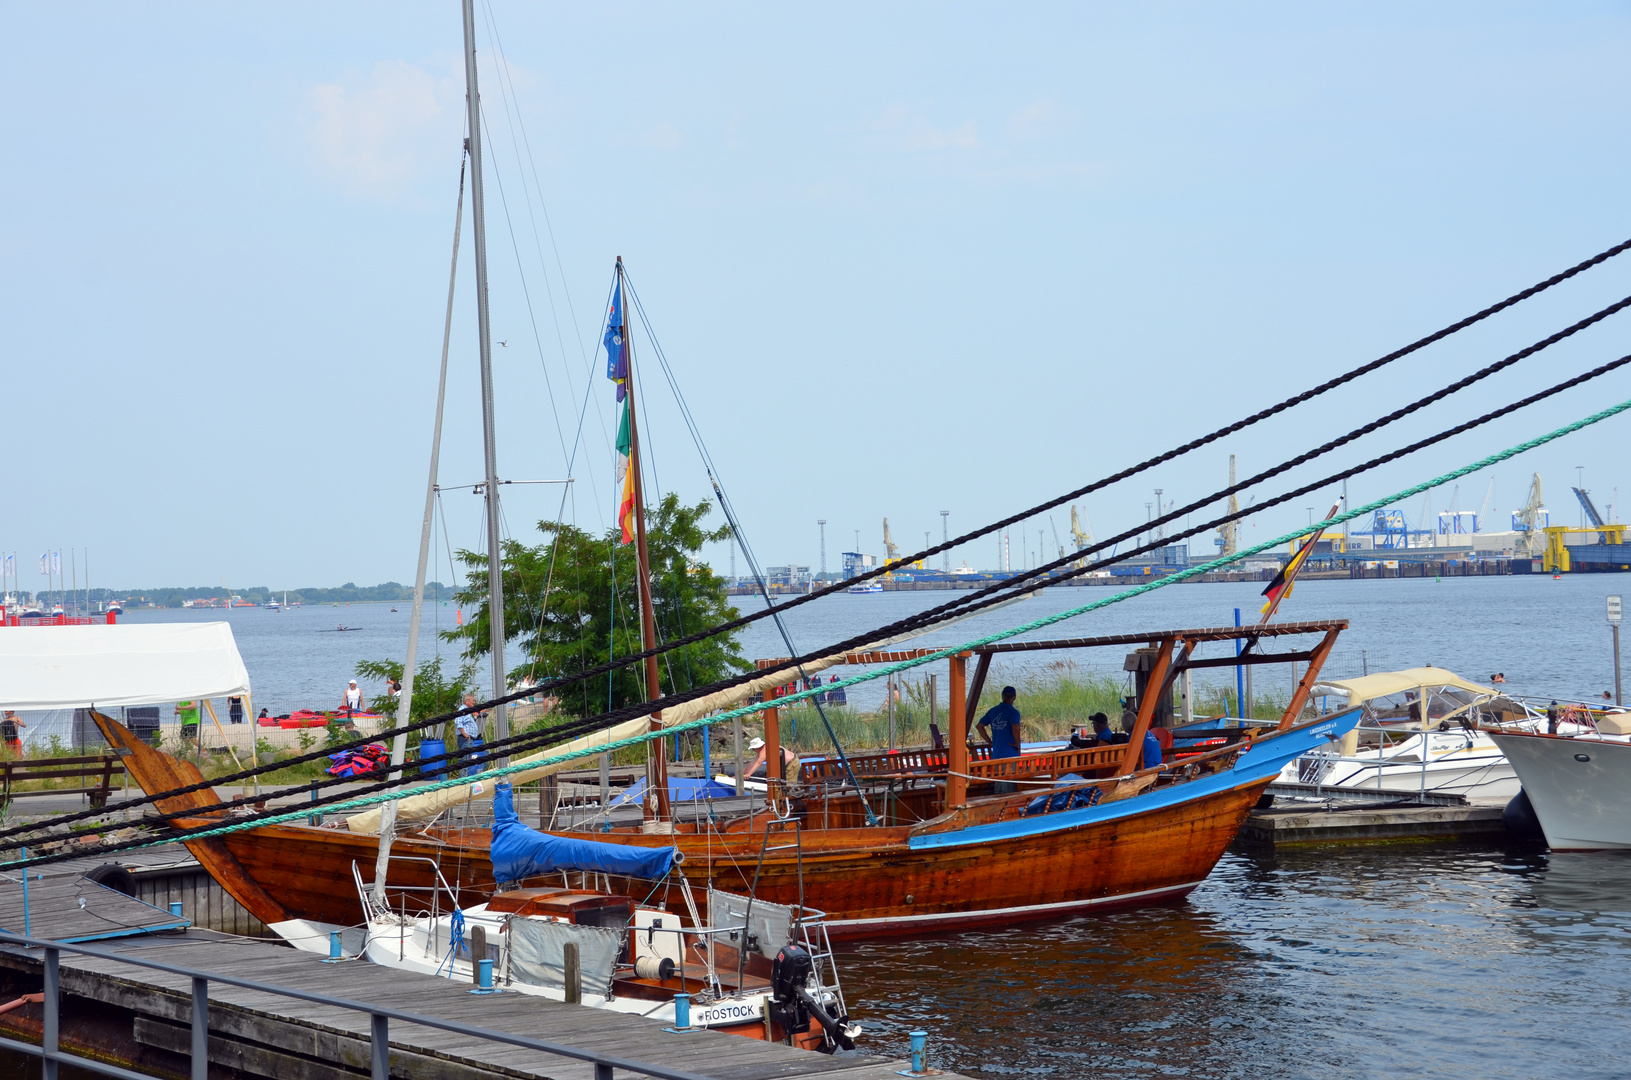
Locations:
column 758, row 970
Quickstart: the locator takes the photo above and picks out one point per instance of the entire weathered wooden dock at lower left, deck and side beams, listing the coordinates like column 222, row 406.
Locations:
column 280, row 1014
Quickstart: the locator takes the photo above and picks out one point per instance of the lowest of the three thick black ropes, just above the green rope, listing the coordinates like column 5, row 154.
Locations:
column 560, row 735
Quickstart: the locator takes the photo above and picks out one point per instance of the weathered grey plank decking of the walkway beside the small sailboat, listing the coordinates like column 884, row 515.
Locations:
column 301, row 1034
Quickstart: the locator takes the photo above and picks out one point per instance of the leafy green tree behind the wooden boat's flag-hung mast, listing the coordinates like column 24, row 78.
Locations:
column 572, row 603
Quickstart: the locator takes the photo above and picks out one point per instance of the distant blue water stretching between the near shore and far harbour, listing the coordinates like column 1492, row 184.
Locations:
column 1549, row 637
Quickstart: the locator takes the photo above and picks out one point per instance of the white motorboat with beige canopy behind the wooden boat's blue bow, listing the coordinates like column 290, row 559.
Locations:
column 1420, row 735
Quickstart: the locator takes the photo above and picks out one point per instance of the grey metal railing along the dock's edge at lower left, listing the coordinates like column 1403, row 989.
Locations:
column 379, row 1022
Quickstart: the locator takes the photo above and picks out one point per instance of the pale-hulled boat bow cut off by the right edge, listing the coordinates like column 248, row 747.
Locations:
column 1578, row 782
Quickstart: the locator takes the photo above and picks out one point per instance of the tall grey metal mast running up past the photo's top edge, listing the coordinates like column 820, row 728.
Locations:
column 490, row 445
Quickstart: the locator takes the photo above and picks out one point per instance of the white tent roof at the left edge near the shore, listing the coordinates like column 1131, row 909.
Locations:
column 117, row 666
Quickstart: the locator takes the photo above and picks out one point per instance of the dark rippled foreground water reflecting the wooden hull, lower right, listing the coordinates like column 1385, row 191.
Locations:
column 1386, row 962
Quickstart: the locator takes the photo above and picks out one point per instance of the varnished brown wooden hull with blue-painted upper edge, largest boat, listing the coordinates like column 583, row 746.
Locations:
column 886, row 880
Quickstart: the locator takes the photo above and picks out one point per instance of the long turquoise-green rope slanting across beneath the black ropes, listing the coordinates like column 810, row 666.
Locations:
column 899, row 666
